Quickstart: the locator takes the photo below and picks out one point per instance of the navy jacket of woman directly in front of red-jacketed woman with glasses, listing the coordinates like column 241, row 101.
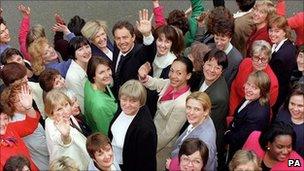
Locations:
column 253, row 117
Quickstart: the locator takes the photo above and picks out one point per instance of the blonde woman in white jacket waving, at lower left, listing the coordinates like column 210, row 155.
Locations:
column 63, row 139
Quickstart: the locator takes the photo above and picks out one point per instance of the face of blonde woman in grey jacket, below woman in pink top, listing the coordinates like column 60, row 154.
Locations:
column 195, row 112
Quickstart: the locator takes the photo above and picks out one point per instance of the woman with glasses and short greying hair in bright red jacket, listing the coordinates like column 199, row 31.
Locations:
column 261, row 52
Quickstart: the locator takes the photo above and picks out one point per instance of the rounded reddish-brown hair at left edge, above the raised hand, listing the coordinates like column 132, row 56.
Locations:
column 12, row 72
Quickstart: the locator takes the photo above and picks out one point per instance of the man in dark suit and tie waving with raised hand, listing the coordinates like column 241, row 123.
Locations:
column 128, row 55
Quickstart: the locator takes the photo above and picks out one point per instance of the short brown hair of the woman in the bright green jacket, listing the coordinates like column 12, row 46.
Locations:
column 92, row 66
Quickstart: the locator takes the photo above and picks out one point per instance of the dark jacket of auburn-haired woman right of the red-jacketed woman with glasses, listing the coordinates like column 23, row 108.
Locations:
column 282, row 63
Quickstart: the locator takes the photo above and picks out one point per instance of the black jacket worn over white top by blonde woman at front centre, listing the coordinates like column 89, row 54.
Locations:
column 139, row 149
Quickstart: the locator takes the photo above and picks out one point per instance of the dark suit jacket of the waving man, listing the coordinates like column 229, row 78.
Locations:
column 129, row 67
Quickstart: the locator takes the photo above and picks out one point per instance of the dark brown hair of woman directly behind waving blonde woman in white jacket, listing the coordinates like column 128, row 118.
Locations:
column 47, row 79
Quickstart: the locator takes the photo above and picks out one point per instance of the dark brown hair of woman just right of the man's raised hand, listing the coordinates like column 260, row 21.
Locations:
column 171, row 34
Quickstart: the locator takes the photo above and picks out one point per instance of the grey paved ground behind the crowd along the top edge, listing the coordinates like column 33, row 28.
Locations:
column 110, row 11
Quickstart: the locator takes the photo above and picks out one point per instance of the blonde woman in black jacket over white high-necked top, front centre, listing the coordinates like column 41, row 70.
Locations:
column 132, row 131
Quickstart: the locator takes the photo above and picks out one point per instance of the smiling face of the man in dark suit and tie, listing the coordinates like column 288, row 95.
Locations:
column 124, row 40
